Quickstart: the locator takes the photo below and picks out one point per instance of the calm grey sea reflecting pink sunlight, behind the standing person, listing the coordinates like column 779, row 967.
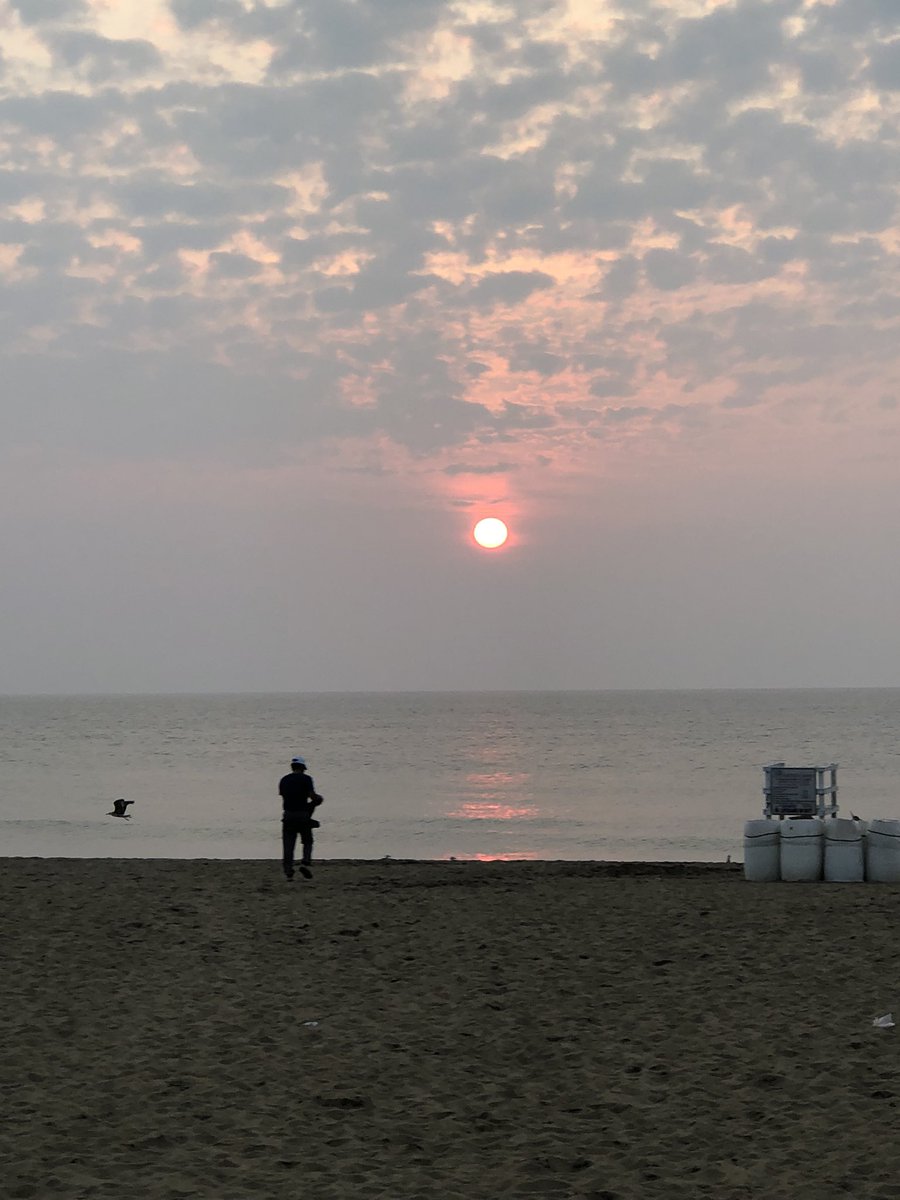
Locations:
column 555, row 776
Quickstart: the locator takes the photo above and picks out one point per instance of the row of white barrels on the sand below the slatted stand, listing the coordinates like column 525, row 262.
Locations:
column 832, row 849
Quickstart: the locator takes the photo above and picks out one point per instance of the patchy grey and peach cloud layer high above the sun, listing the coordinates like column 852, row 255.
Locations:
column 433, row 230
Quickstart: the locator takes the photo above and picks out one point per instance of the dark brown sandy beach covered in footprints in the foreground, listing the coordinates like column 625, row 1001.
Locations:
column 446, row 1030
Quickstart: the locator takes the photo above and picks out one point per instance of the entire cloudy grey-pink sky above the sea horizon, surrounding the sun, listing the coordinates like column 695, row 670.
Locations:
column 292, row 295
